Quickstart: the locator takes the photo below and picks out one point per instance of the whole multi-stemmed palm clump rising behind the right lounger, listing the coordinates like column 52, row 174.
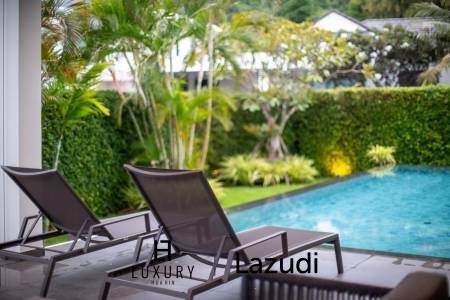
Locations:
column 145, row 36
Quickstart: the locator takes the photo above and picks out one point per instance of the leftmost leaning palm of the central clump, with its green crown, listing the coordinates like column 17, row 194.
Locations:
column 137, row 32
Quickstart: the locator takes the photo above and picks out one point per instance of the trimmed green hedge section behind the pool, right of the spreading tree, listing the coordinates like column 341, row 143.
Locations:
column 415, row 120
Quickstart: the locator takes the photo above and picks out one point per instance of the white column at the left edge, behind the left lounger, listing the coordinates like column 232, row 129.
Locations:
column 21, row 105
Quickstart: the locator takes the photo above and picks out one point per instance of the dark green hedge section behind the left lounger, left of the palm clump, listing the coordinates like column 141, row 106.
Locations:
column 92, row 156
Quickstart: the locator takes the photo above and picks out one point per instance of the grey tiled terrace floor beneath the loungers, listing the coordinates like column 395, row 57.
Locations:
column 81, row 277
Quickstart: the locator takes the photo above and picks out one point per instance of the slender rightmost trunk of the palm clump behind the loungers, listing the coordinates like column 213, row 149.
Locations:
column 210, row 100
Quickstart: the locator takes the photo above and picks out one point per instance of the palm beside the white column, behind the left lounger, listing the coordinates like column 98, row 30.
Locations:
column 67, row 82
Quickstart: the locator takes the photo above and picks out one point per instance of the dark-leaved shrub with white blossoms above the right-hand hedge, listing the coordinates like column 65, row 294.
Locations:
column 393, row 55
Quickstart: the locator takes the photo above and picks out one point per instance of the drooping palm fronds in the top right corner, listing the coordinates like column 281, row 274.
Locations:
column 438, row 35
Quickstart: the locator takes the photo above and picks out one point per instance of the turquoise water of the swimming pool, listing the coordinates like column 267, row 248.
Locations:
column 407, row 212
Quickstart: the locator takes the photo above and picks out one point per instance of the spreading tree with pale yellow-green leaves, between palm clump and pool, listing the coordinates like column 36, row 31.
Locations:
column 296, row 56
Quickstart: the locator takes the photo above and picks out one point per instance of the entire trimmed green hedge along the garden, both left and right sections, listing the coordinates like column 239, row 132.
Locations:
column 339, row 122
